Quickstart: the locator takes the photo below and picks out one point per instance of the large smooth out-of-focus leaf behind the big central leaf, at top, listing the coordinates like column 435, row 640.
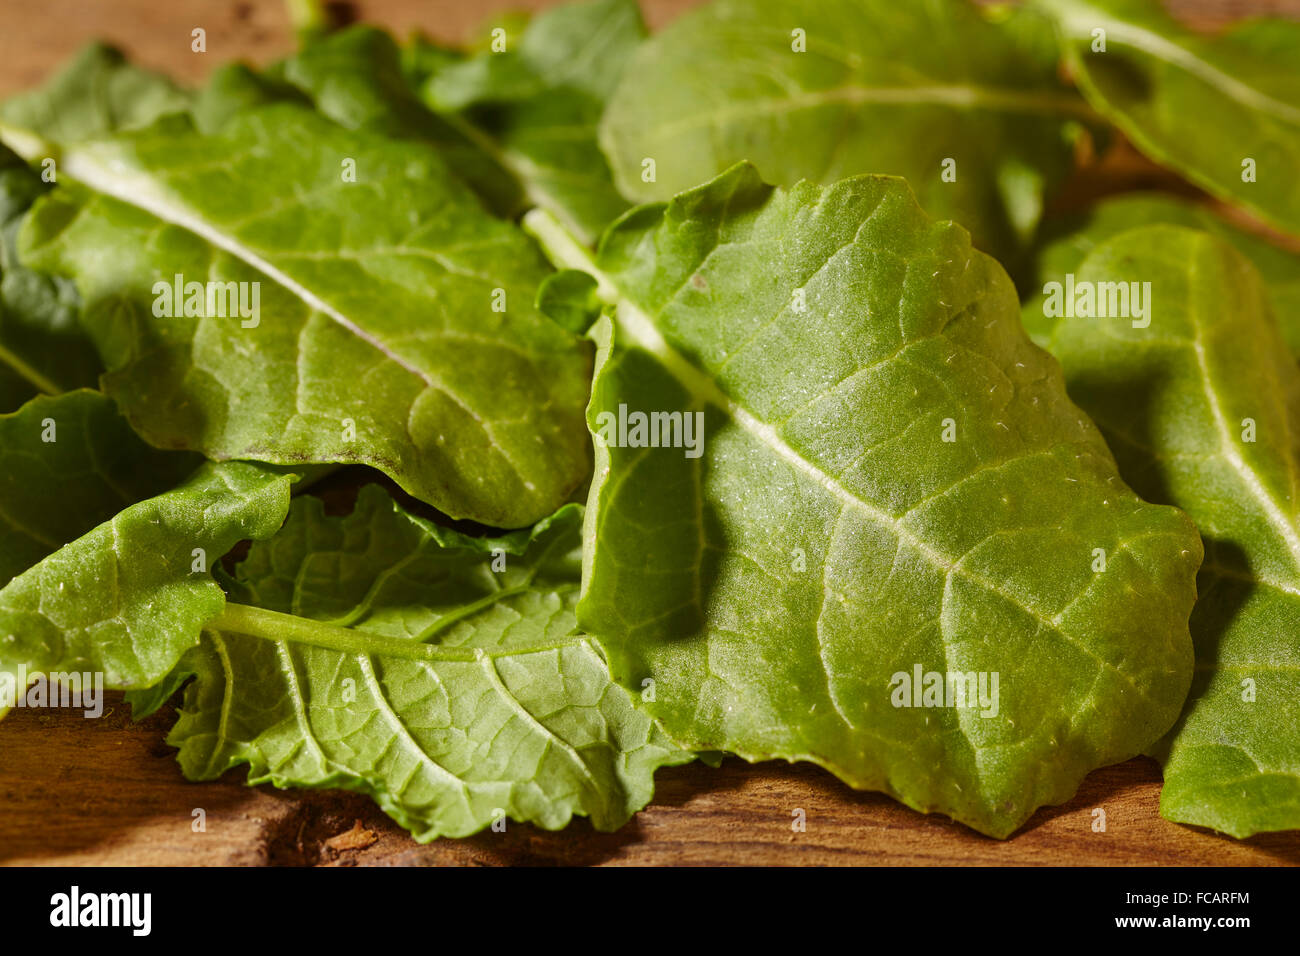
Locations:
column 883, row 88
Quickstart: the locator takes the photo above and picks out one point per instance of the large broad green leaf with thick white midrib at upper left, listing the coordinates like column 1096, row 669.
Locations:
column 376, row 302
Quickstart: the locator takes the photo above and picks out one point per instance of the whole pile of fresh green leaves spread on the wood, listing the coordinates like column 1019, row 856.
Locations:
column 712, row 416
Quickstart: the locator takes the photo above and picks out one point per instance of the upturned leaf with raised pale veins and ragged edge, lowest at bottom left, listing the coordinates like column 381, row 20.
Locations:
column 439, row 673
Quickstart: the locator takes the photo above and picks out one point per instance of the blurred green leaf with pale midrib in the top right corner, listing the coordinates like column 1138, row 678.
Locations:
column 1201, row 105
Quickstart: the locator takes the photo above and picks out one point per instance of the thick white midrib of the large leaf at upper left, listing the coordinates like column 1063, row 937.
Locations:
column 120, row 181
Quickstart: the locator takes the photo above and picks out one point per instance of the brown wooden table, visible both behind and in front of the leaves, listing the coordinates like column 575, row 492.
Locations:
column 110, row 791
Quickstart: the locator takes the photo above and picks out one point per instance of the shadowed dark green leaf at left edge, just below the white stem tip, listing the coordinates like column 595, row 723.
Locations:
column 44, row 349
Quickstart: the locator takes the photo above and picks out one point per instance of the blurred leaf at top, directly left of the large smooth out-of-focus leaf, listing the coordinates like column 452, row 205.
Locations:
column 539, row 103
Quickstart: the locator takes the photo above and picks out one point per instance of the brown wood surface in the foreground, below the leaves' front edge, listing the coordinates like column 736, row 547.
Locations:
column 110, row 791
